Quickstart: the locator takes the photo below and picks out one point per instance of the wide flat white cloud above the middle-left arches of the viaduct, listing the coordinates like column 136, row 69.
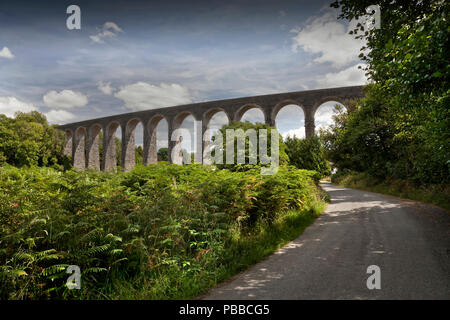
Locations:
column 143, row 96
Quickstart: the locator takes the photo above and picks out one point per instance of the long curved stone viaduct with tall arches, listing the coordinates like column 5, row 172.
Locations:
column 83, row 138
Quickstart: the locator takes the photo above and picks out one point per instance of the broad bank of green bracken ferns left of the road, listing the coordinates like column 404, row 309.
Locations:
column 156, row 232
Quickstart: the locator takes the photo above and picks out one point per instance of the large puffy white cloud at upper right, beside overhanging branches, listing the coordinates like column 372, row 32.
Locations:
column 329, row 38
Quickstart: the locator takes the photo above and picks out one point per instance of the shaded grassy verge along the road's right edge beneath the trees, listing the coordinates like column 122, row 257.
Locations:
column 438, row 195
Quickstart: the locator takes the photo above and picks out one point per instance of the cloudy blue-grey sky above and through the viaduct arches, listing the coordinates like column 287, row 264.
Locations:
column 139, row 55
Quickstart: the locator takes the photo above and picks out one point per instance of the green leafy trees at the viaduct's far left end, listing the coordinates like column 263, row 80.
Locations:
column 28, row 140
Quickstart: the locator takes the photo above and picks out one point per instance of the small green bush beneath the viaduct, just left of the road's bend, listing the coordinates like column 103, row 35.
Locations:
column 307, row 154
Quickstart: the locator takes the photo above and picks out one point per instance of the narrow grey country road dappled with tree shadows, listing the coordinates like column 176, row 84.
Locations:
column 409, row 241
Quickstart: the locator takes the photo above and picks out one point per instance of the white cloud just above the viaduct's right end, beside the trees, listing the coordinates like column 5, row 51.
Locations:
column 351, row 76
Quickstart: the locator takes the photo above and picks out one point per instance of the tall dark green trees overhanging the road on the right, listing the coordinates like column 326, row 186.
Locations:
column 401, row 128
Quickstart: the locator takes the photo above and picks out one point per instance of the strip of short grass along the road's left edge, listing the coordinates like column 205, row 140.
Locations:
column 243, row 253
